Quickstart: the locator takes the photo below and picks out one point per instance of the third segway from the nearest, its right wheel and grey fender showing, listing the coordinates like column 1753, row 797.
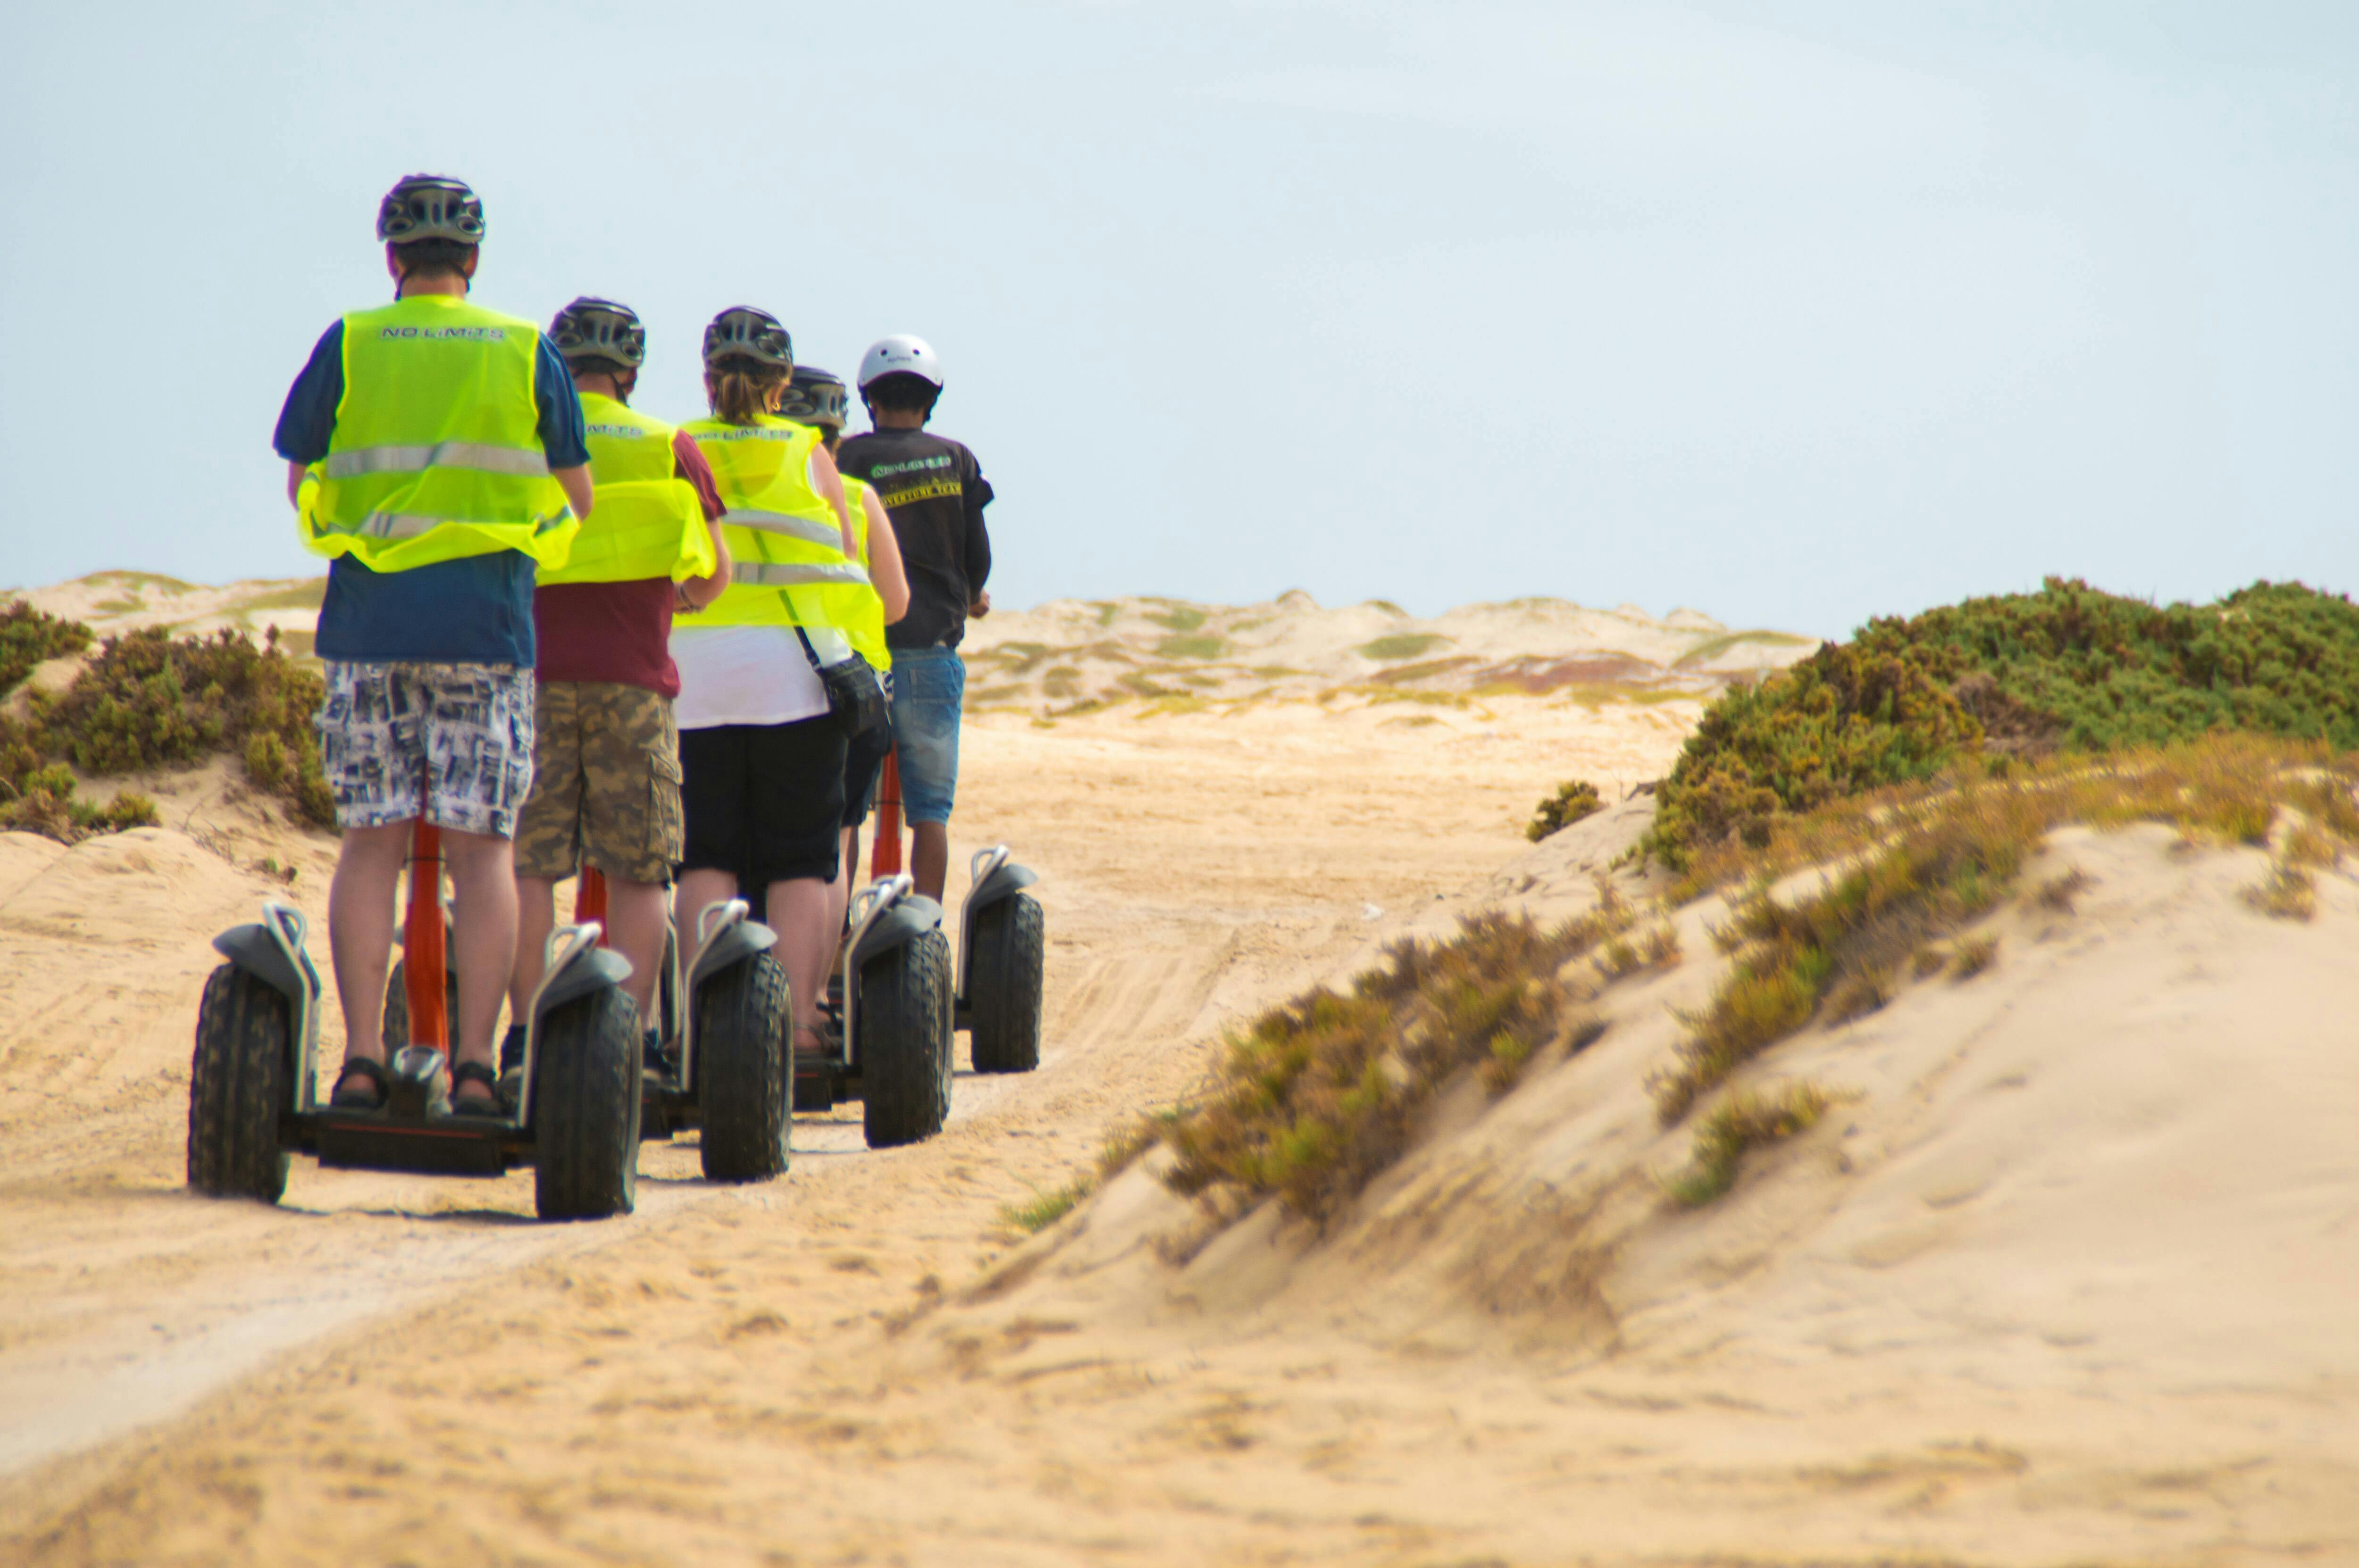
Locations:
column 888, row 1020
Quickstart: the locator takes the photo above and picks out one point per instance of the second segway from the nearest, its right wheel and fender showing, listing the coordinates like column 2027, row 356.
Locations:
column 725, row 1062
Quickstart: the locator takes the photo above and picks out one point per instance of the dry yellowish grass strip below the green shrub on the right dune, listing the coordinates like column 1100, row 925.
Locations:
column 1921, row 862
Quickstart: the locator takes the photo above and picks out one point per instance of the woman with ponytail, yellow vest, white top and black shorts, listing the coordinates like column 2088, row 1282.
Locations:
column 761, row 749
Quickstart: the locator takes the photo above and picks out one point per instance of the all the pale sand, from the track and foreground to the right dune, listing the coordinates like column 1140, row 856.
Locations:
column 2065, row 1279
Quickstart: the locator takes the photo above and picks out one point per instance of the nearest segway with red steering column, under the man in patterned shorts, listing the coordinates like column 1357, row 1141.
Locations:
column 254, row 1093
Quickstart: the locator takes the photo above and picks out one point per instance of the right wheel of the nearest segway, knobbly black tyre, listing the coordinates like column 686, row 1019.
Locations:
column 586, row 1109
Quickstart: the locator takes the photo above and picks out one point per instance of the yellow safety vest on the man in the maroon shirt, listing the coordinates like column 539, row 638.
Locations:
column 648, row 520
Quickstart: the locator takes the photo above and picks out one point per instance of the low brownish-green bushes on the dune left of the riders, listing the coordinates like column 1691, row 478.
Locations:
column 152, row 701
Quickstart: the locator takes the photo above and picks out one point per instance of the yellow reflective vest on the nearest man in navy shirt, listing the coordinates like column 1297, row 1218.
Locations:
column 438, row 442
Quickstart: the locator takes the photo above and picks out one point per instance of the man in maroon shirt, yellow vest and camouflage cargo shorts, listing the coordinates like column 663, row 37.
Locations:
column 605, row 751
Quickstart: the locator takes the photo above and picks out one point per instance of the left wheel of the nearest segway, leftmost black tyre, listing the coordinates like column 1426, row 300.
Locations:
column 237, row 1088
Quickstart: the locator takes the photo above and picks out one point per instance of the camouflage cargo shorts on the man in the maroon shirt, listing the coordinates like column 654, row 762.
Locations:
column 605, row 784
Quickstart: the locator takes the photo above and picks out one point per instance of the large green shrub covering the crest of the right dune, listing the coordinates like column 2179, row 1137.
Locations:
column 2018, row 676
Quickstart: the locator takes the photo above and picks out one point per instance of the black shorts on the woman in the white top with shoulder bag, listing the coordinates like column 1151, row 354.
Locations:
column 763, row 801
